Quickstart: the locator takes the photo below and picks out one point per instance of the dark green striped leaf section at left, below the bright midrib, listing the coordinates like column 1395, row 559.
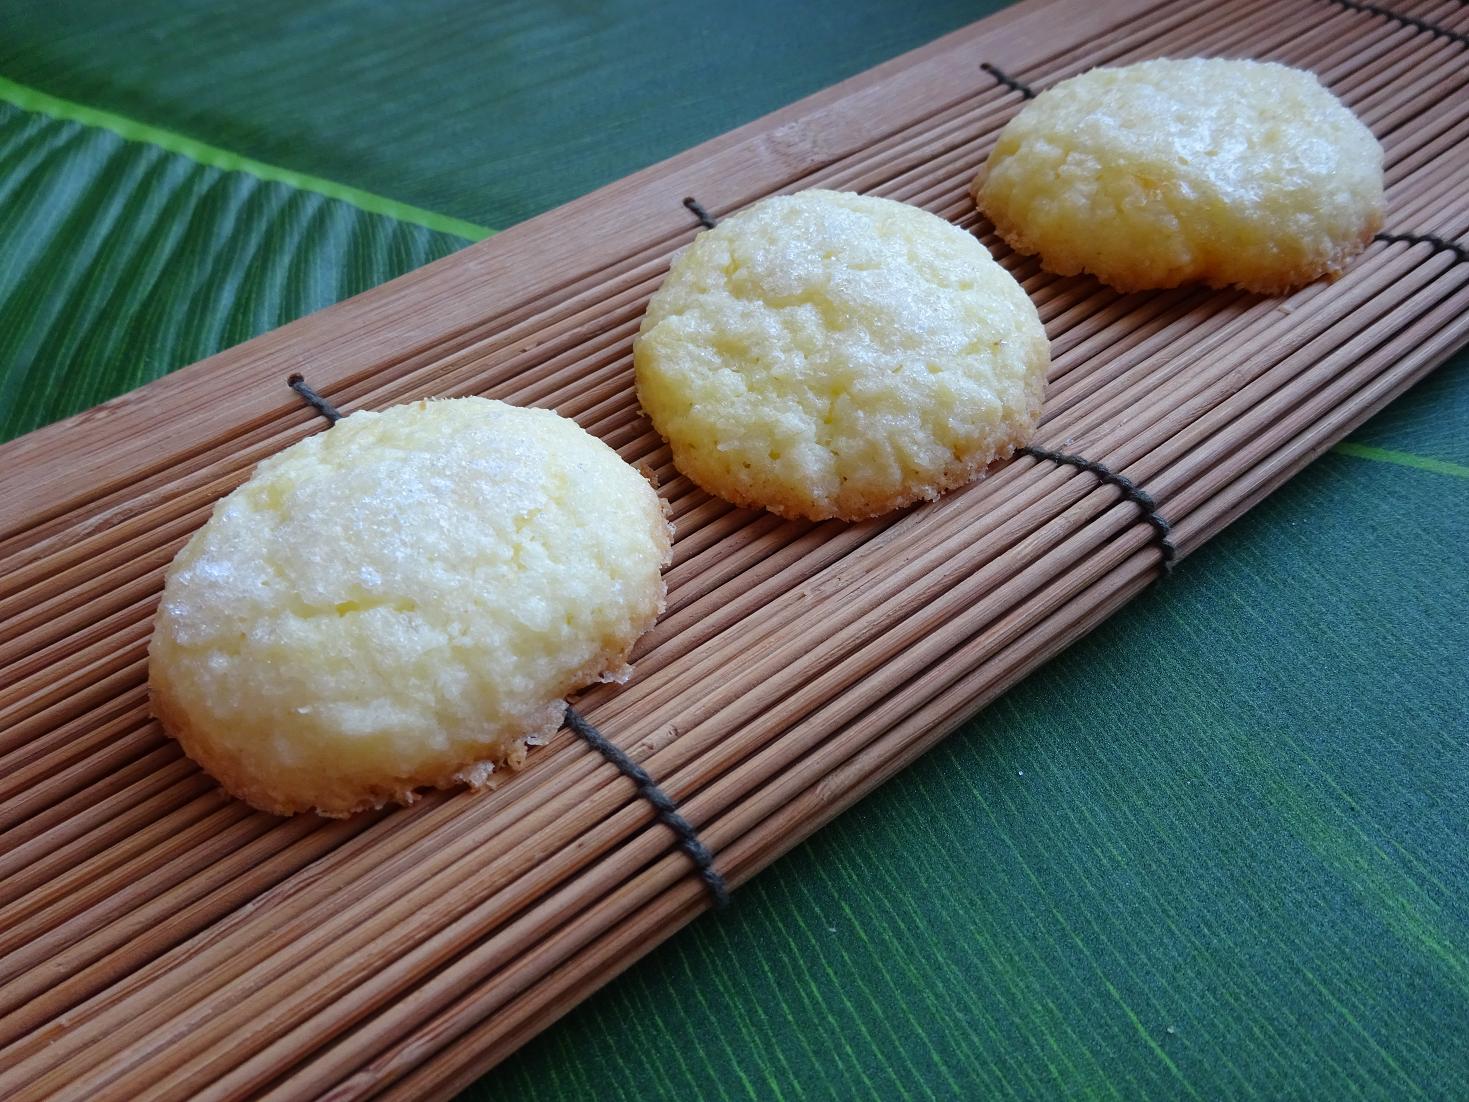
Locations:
column 124, row 262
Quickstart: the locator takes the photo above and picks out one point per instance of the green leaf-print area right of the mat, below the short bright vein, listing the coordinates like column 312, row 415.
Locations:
column 1217, row 850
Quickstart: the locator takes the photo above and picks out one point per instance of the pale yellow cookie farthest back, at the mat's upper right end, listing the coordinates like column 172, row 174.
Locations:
column 1172, row 173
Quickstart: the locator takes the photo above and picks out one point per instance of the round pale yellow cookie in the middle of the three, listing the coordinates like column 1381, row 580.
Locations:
column 828, row 355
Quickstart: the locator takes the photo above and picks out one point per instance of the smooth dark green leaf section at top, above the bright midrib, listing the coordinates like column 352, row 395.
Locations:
column 486, row 111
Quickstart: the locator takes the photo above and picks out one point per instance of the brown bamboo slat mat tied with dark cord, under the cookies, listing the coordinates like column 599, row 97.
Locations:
column 161, row 940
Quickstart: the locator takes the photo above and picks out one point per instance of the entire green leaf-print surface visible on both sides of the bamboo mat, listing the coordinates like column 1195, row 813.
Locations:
column 1217, row 850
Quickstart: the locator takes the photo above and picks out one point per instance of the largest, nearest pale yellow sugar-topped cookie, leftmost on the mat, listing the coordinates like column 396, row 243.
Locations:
column 403, row 602
